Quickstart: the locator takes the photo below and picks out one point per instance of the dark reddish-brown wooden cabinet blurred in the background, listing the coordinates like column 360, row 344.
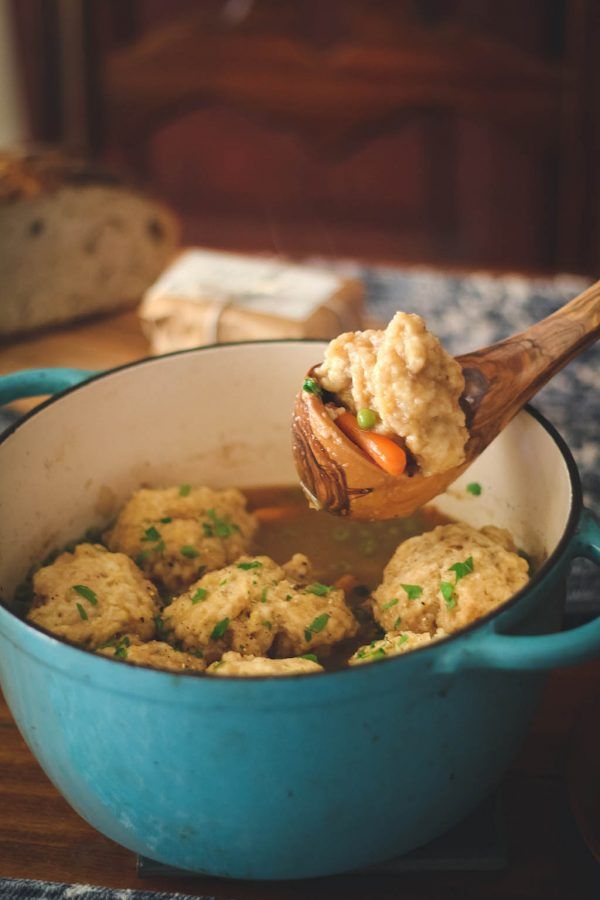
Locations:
column 459, row 132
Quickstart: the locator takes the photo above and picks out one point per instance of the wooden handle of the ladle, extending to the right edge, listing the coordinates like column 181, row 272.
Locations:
column 501, row 378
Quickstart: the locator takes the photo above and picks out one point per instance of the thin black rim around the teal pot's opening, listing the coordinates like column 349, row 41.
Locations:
column 545, row 569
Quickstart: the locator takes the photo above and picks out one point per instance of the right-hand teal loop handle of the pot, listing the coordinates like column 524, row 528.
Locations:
column 491, row 650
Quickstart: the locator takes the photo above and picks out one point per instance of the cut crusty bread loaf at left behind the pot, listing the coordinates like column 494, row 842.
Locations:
column 74, row 241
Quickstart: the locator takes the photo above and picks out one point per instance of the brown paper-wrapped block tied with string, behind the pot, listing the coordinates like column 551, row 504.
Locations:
column 208, row 296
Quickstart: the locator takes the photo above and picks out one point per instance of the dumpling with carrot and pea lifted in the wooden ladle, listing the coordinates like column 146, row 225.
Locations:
column 402, row 385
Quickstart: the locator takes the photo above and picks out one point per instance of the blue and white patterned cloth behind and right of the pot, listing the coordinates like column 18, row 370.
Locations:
column 472, row 311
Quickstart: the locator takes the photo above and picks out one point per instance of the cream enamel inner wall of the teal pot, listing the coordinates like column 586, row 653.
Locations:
column 221, row 416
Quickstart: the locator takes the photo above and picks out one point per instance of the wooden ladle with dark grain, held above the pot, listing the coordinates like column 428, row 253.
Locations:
column 338, row 477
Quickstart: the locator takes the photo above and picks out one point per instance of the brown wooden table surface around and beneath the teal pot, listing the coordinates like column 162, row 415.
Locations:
column 42, row 838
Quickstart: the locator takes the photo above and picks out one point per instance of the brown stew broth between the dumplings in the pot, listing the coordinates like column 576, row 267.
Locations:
column 336, row 547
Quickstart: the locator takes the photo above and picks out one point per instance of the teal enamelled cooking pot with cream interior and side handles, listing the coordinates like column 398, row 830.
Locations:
column 265, row 777
